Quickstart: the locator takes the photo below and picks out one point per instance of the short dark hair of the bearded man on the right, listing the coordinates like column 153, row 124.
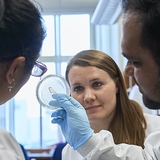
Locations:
column 148, row 14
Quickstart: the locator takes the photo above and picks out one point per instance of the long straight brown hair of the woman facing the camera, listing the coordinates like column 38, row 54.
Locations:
column 128, row 124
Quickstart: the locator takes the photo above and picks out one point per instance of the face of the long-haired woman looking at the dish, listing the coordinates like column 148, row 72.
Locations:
column 95, row 90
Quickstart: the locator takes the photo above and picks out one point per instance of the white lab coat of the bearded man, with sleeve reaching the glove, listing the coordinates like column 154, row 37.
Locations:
column 101, row 146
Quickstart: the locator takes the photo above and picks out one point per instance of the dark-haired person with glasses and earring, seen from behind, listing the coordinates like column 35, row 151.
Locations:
column 22, row 33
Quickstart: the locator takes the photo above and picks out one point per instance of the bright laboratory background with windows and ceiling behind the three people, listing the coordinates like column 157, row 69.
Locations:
column 72, row 26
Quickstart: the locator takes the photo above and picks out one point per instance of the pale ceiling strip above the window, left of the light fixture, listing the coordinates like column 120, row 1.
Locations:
column 68, row 6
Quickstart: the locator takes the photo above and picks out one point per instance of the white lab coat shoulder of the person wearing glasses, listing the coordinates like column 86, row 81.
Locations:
column 9, row 147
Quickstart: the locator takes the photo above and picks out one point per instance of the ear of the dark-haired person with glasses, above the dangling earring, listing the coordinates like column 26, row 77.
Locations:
column 13, row 67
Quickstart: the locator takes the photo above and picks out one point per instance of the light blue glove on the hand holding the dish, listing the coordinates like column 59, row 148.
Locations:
column 73, row 120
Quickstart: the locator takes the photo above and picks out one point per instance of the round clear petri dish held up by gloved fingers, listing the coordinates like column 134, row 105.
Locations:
column 49, row 85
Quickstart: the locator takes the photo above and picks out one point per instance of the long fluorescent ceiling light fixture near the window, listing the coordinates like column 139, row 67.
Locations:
column 106, row 12
